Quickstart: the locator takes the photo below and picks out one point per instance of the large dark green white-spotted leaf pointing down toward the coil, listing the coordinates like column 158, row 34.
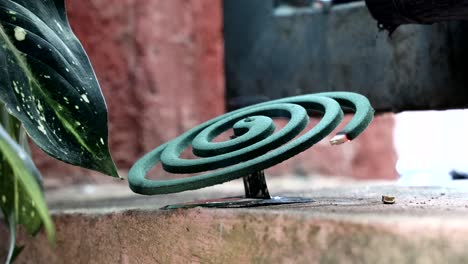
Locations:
column 47, row 82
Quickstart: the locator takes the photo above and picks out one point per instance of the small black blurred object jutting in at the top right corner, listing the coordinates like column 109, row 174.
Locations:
column 392, row 13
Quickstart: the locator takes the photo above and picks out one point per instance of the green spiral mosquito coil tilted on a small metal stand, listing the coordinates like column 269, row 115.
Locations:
column 256, row 144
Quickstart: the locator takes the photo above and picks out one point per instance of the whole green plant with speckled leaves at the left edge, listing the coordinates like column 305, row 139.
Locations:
column 47, row 87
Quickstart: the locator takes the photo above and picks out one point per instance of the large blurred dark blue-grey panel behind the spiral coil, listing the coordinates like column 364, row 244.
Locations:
column 304, row 51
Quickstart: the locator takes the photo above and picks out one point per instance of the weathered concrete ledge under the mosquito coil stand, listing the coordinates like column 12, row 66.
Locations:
column 346, row 224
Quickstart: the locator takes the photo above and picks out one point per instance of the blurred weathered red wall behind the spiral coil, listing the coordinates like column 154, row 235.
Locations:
column 160, row 66
